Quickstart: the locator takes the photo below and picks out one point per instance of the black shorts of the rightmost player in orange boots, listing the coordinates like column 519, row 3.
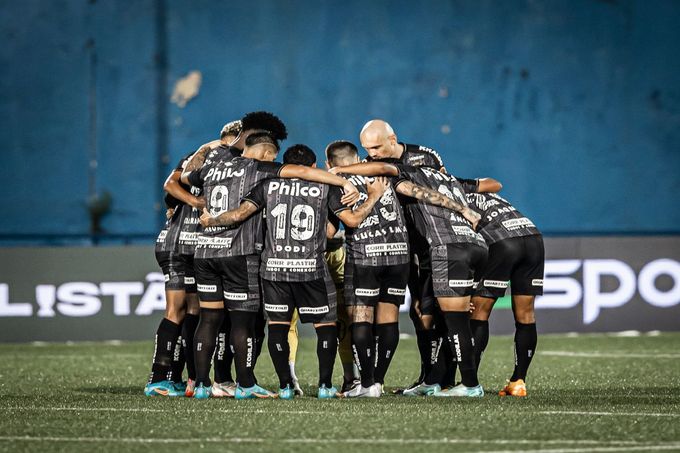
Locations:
column 519, row 261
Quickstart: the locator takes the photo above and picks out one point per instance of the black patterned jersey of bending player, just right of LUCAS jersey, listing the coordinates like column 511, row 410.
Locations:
column 438, row 225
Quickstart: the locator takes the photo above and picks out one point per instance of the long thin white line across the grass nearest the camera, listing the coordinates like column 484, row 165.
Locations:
column 614, row 444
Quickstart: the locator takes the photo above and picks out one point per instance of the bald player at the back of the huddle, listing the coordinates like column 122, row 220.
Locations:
column 380, row 141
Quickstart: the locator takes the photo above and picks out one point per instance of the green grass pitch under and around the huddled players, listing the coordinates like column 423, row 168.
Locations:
column 599, row 393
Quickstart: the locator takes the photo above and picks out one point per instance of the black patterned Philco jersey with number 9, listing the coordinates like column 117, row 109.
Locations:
column 225, row 181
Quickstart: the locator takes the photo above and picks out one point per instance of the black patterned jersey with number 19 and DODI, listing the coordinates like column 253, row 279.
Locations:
column 296, row 214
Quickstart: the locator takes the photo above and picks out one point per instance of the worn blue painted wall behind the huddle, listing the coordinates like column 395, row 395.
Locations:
column 574, row 105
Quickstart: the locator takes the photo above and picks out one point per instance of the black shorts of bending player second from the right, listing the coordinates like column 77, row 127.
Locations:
column 454, row 267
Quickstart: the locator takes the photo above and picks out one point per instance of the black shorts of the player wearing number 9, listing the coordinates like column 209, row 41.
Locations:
column 234, row 279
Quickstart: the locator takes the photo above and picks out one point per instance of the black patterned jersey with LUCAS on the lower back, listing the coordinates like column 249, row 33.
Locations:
column 382, row 238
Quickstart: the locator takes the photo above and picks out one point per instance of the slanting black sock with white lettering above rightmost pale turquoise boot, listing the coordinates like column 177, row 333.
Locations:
column 462, row 347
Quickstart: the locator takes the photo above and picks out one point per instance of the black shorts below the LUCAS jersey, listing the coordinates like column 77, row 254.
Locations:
column 368, row 285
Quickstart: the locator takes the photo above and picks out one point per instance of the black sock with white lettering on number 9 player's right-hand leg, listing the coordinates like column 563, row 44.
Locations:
column 243, row 341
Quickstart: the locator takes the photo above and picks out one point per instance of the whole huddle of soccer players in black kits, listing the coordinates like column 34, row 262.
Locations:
column 252, row 245
